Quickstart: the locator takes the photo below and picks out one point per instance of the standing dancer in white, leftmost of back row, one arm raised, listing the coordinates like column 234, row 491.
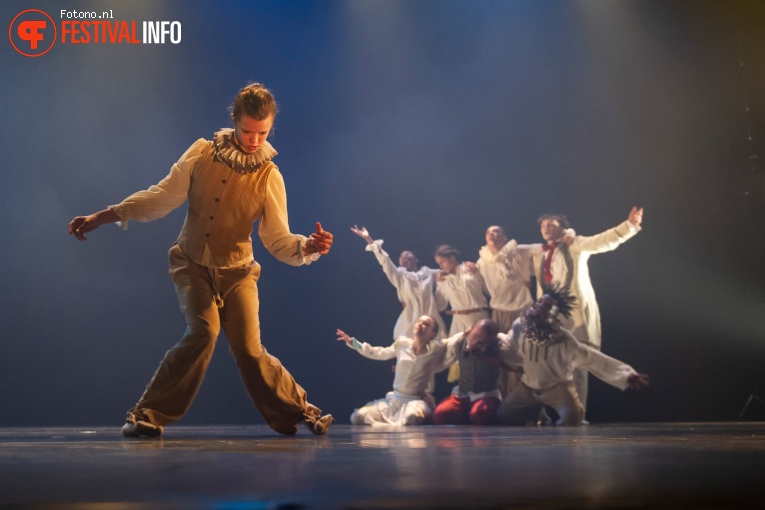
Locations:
column 414, row 286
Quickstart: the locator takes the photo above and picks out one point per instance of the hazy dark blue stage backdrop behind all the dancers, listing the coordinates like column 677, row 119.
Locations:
column 425, row 121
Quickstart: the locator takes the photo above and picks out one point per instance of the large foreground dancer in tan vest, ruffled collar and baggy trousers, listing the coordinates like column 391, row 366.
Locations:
column 230, row 183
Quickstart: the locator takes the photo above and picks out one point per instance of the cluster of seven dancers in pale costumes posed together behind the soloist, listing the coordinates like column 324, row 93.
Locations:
column 510, row 356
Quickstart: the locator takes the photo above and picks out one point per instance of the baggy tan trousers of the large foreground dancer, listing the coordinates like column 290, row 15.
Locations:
column 210, row 299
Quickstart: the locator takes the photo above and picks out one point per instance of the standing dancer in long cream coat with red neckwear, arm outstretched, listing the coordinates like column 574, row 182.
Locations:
column 565, row 266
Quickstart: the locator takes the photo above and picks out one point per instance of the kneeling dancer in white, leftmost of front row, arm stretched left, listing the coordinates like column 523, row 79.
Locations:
column 417, row 360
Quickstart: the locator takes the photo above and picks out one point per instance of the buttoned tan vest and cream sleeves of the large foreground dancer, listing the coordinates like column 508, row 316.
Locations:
column 223, row 206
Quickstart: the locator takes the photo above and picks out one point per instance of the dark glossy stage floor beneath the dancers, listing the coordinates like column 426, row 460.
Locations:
column 664, row 465
